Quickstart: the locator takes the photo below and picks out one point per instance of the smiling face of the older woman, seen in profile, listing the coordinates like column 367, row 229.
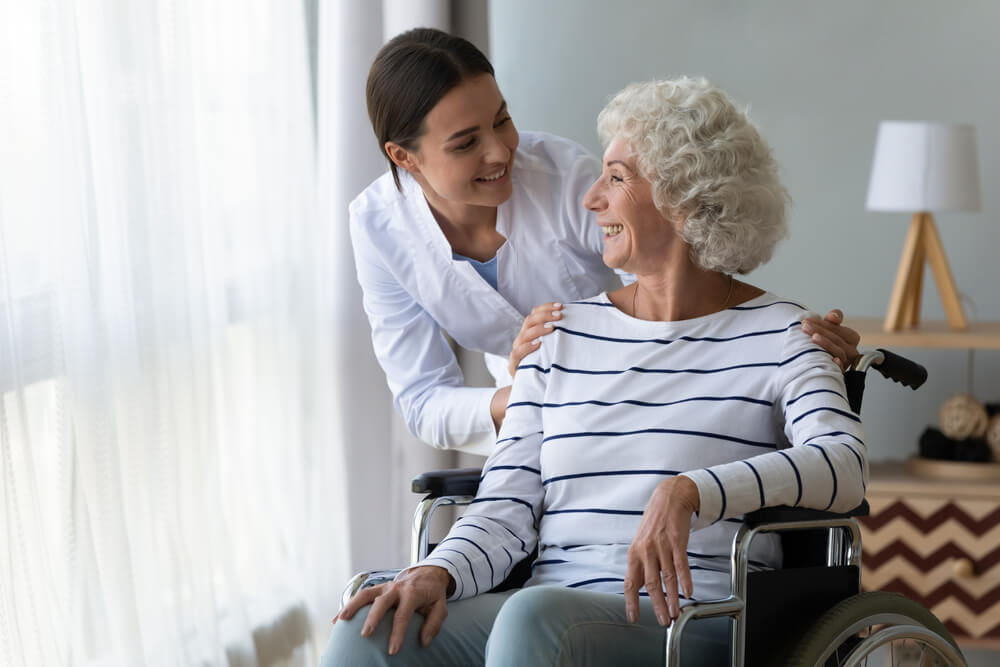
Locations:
column 637, row 237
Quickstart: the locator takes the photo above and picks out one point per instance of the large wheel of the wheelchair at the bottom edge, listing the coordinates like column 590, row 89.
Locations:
column 883, row 628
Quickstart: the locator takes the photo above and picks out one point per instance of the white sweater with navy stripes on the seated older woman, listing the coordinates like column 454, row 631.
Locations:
column 740, row 401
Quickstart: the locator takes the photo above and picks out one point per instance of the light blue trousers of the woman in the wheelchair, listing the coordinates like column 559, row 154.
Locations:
column 540, row 625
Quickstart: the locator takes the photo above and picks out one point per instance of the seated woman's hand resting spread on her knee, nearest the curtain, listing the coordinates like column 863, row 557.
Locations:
column 421, row 589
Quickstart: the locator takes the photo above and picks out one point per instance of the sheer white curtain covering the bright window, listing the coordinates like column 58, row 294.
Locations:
column 172, row 481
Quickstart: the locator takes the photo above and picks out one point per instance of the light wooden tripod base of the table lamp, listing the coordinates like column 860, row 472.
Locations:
column 922, row 244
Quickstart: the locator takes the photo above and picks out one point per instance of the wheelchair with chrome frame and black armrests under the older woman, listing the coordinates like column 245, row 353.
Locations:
column 810, row 612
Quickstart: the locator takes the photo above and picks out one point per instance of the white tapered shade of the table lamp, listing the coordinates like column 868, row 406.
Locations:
column 924, row 167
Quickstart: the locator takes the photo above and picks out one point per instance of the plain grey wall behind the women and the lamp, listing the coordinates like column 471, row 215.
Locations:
column 818, row 77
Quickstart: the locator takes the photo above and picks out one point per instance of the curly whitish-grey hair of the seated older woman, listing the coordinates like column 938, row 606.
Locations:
column 711, row 172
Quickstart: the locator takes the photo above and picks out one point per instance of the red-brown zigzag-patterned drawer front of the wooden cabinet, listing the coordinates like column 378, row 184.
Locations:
column 912, row 550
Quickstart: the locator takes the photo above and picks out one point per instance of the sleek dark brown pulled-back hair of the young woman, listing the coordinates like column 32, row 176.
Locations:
column 410, row 74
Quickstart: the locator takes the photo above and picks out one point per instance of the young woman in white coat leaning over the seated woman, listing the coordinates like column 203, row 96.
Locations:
column 473, row 227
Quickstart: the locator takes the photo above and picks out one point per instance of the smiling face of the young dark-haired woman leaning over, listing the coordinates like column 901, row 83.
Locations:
column 465, row 156
